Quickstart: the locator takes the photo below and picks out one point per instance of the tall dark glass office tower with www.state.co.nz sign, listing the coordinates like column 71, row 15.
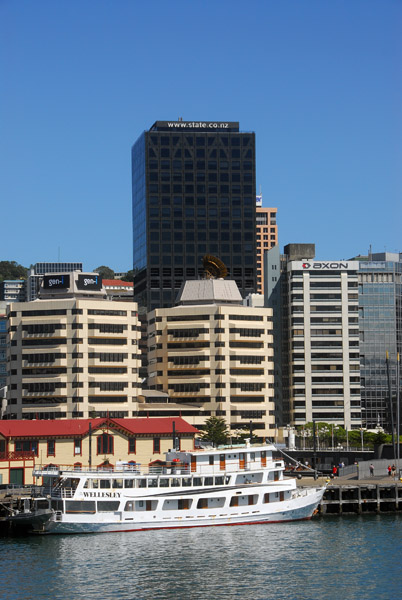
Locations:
column 193, row 194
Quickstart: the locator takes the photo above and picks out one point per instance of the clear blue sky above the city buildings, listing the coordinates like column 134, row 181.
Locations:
column 318, row 81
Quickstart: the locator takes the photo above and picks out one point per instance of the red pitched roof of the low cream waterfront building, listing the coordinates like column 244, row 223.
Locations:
column 80, row 427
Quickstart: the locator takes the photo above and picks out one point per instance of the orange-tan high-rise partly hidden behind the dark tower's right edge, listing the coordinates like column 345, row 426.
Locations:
column 267, row 237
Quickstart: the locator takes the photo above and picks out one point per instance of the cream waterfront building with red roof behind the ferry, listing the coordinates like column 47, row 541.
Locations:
column 24, row 443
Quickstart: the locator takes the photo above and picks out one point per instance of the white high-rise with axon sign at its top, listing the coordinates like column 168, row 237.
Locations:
column 319, row 308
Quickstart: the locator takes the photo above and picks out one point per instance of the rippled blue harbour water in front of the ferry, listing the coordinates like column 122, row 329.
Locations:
column 324, row 559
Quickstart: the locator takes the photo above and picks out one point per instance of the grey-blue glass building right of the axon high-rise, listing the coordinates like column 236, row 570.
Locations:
column 380, row 320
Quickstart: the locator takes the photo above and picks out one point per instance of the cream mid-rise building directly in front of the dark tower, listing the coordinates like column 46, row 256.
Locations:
column 213, row 356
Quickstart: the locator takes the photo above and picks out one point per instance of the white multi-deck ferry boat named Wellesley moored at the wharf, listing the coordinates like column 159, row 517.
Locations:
column 218, row 486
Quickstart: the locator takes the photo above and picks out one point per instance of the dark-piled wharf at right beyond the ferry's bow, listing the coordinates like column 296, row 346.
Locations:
column 348, row 495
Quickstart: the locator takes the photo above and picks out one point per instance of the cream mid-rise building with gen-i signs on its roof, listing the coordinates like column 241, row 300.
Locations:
column 71, row 353
